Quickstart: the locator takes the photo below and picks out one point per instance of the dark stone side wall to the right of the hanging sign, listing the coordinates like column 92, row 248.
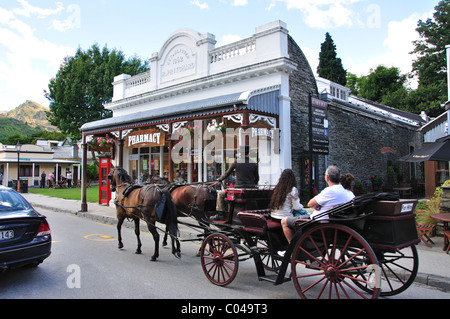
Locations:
column 365, row 146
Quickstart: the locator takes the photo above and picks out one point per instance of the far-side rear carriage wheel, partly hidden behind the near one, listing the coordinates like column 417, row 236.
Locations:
column 398, row 270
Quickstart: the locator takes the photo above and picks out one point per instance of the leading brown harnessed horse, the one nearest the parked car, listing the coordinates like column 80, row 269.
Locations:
column 143, row 202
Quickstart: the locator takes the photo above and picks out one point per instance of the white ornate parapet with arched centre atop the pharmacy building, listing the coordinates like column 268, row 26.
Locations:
column 188, row 55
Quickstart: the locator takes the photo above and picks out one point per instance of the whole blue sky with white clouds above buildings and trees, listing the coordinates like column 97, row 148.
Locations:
column 35, row 36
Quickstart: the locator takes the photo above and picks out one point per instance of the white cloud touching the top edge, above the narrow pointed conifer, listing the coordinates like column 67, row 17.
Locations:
column 324, row 14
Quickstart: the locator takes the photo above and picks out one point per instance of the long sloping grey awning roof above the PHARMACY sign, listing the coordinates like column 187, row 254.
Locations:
column 267, row 102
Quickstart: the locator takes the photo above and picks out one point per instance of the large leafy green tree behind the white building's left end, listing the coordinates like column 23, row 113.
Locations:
column 83, row 85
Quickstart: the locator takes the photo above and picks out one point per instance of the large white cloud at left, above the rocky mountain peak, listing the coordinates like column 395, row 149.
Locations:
column 27, row 62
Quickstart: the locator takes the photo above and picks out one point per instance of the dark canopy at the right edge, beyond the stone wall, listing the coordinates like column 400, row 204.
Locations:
column 436, row 151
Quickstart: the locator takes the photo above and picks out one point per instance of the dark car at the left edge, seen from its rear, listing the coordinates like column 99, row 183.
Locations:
column 25, row 237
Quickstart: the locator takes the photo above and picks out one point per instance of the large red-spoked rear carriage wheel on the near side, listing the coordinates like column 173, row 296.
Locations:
column 328, row 259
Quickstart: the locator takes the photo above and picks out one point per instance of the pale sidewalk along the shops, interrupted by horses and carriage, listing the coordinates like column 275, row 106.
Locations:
column 434, row 269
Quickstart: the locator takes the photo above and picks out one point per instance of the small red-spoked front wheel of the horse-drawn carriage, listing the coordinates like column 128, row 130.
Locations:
column 219, row 259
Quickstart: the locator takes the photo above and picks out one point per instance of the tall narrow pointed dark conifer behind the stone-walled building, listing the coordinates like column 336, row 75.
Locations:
column 330, row 66
